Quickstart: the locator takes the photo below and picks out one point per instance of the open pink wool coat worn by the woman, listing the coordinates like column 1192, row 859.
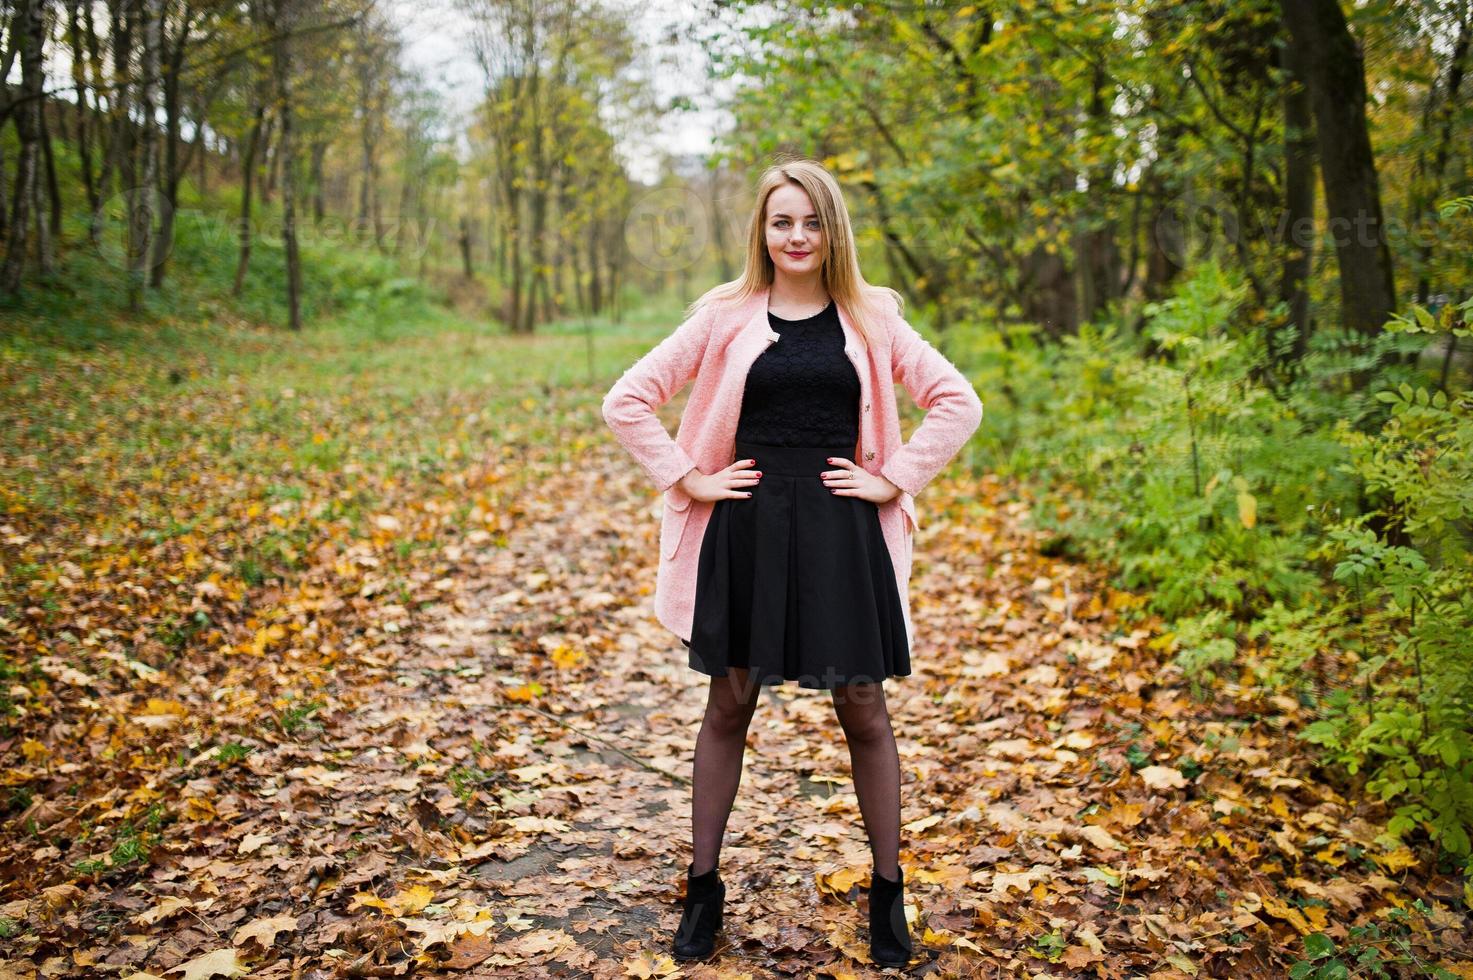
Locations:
column 715, row 347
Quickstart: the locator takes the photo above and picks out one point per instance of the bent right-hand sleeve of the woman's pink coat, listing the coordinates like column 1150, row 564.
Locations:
column 951, row 403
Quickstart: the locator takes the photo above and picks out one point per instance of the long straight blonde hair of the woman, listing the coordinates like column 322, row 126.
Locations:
column 839, row 266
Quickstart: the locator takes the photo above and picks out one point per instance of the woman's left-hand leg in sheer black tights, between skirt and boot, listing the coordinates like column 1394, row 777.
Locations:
column 720, row 749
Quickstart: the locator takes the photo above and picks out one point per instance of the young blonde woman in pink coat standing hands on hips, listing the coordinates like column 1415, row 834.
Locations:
column 786, row 536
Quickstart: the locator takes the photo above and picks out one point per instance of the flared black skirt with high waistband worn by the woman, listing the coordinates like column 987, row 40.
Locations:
column 796, row 583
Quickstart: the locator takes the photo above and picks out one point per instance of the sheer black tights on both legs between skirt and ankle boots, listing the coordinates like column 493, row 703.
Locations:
column 723, row 745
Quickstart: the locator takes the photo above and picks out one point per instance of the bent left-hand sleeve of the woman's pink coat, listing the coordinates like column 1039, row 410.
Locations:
column 630, row 407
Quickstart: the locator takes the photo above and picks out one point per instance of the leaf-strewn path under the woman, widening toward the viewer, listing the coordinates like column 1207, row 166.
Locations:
column 500, row 791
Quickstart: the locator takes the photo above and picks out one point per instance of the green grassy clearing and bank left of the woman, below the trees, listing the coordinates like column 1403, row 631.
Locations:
column 98, row 402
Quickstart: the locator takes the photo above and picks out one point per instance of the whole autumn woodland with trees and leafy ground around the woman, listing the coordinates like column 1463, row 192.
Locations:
column 297, row 365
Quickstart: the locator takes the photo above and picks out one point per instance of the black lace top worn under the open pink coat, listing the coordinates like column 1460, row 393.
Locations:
column 804, row 388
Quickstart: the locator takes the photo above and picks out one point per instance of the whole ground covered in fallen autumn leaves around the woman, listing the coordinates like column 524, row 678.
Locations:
column 401, row 708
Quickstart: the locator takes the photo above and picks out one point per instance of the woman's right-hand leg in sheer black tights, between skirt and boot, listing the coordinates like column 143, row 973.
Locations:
column 876, row 766
